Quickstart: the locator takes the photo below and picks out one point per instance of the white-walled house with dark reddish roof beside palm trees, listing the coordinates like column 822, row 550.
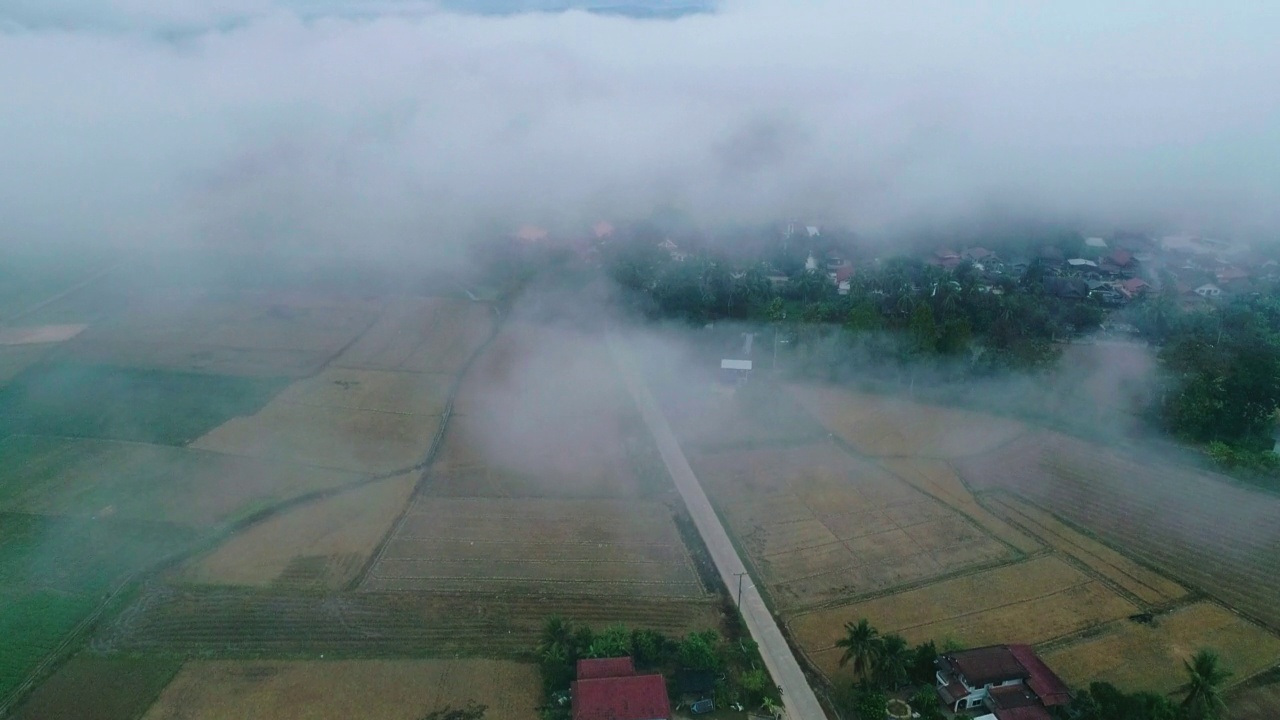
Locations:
column 1012, row 682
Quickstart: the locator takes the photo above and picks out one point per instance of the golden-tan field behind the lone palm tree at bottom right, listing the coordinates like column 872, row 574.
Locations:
column 1150, row 658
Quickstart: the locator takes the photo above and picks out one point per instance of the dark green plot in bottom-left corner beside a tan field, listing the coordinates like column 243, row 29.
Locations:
column 98, row 689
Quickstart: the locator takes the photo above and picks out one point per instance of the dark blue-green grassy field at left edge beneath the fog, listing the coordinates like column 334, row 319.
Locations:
column 129, row 404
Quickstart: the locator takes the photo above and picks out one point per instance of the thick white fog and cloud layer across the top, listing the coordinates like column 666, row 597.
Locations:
column 390, row 126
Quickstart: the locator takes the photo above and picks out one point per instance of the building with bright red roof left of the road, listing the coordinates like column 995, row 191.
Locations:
column 610, row 690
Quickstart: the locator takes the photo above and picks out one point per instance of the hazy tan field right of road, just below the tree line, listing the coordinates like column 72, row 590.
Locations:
column 889, row 427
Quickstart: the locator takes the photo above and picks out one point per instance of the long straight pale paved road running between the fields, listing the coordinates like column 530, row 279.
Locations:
column 798, row 698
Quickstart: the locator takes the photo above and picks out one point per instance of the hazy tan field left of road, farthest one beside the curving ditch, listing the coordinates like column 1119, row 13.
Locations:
column 424, row 335
